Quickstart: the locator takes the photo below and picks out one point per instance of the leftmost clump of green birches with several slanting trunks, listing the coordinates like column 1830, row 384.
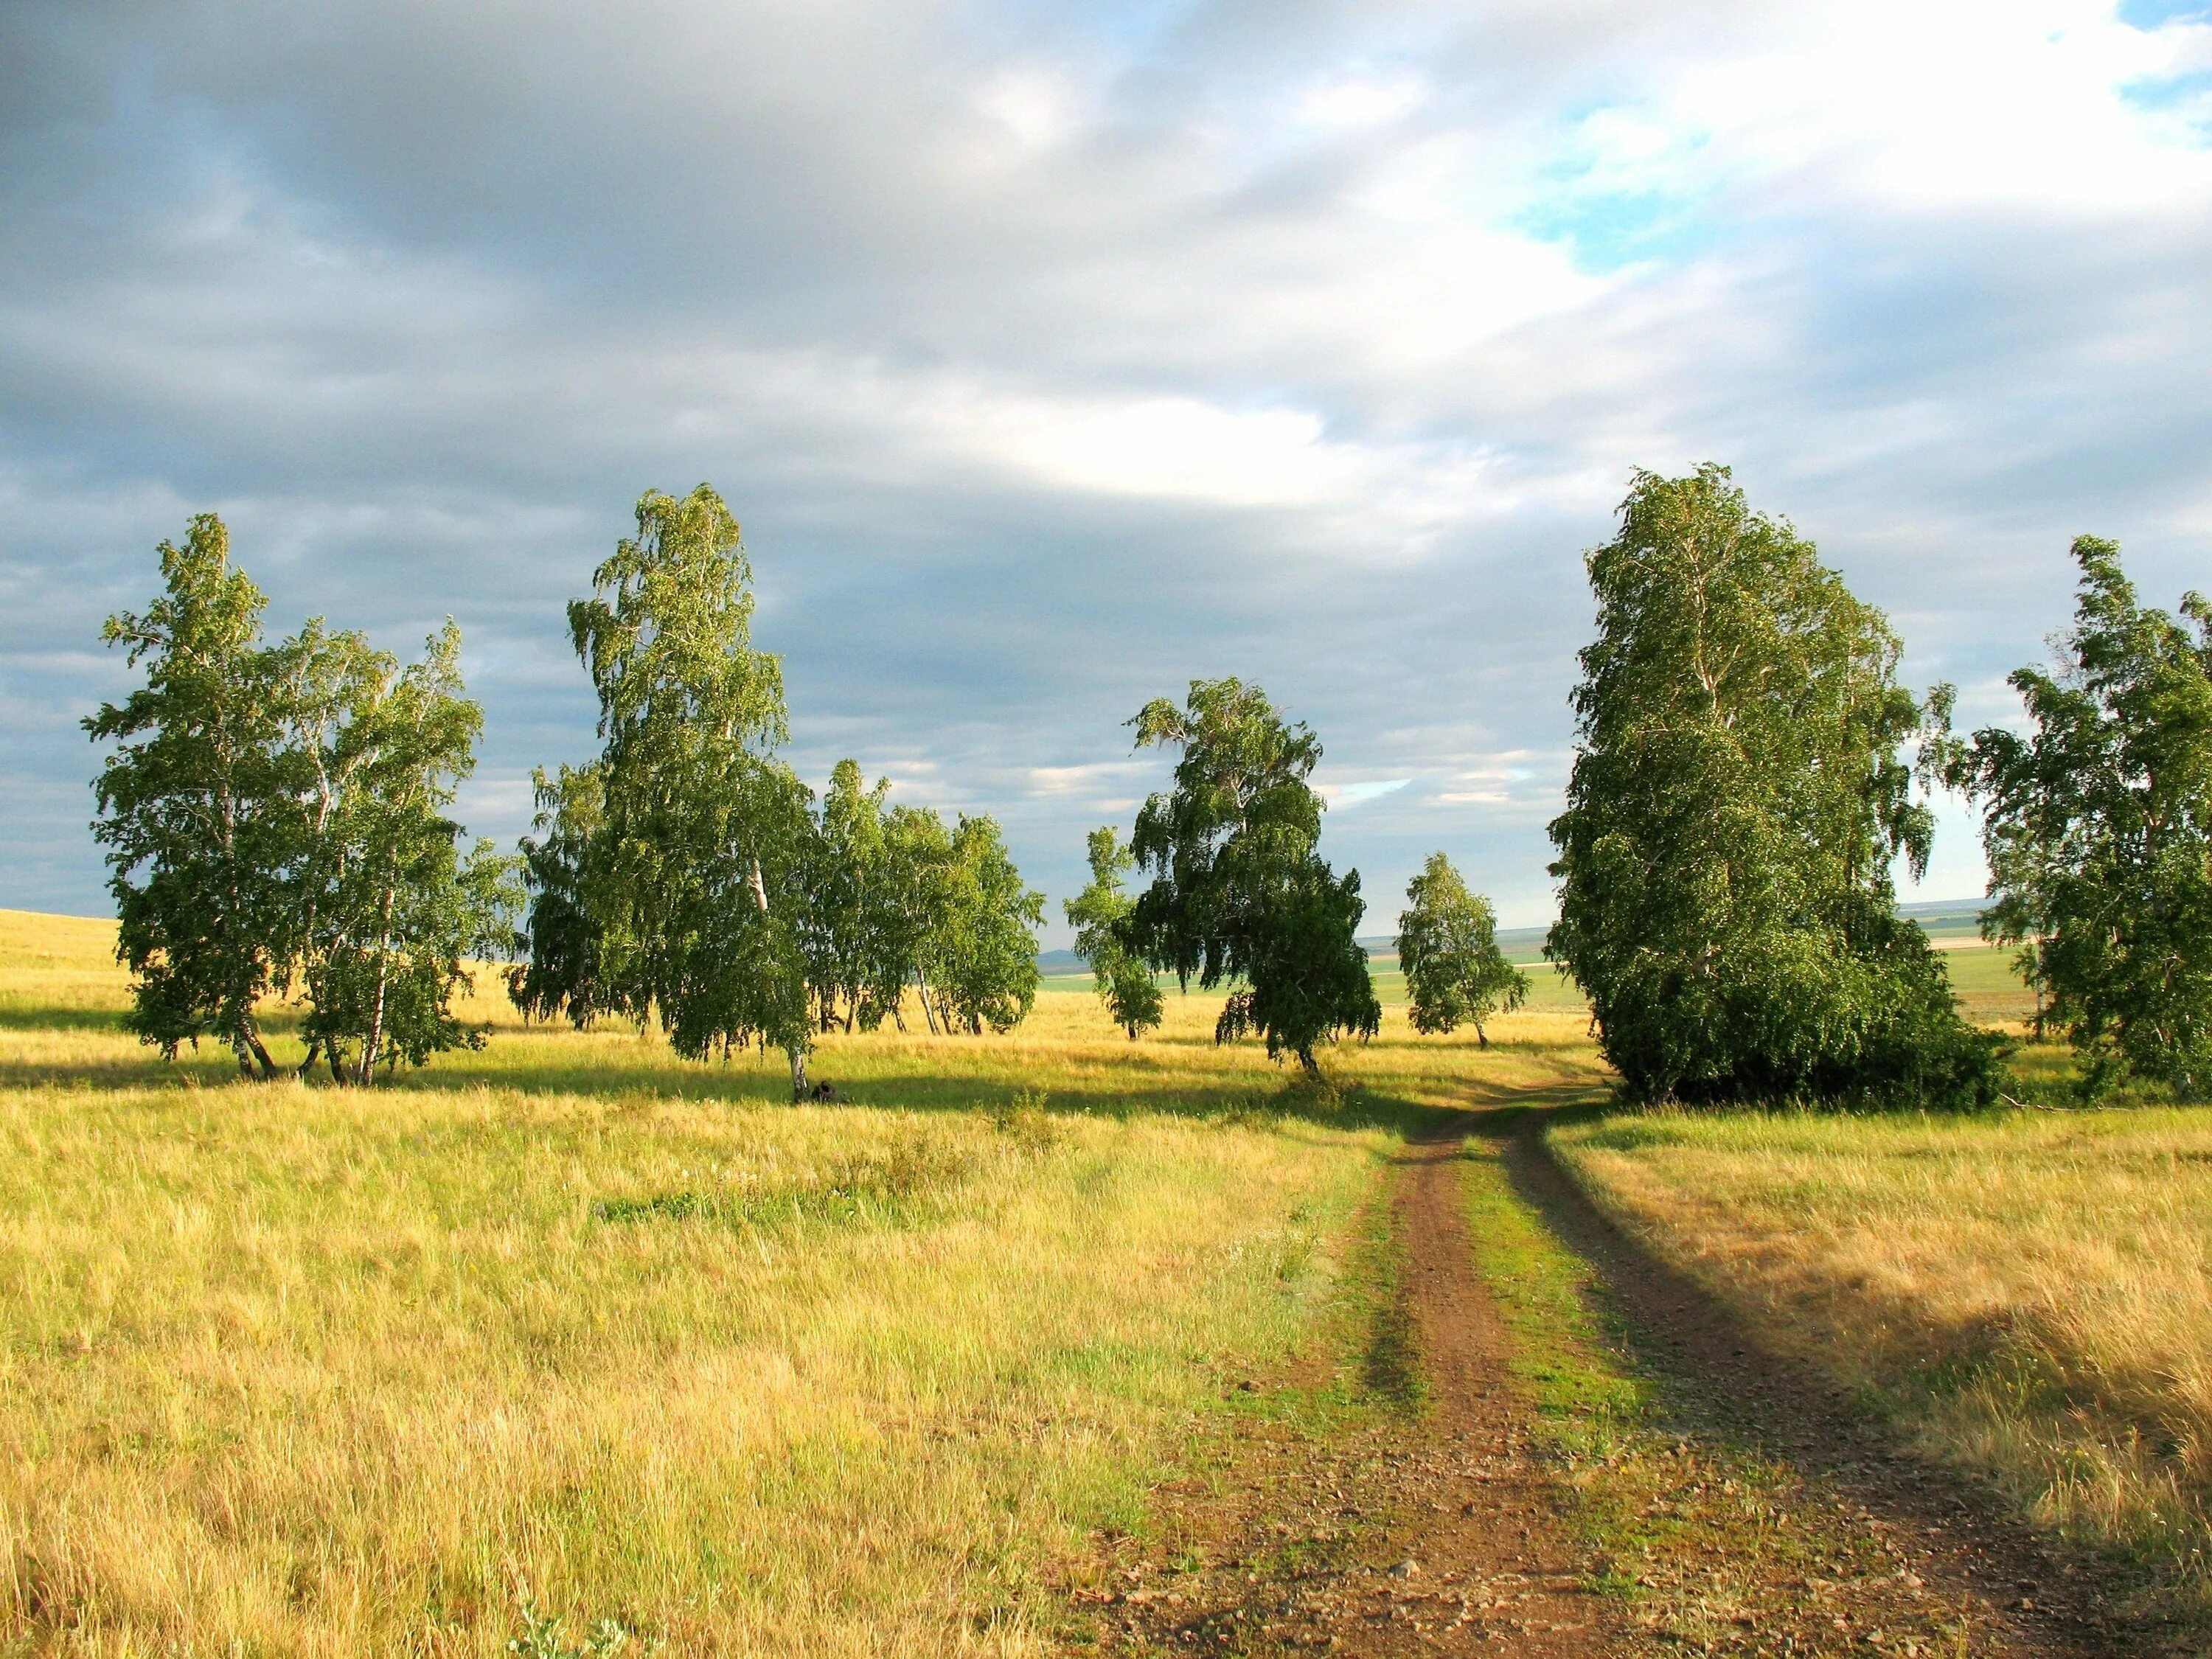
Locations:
column 275, row 820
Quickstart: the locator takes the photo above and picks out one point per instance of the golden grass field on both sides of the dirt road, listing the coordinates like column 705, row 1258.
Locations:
column 576, row 1326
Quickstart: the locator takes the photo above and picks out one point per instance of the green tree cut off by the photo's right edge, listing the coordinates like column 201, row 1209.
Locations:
column 2098, row 828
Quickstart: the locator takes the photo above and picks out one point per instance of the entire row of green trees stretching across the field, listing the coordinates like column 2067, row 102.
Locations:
column 278, row 822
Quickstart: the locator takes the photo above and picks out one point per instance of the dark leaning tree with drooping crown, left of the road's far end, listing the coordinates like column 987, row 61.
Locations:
column 1238, row 888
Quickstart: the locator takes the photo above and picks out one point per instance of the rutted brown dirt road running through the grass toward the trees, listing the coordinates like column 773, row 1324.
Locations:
column 1457, row 1527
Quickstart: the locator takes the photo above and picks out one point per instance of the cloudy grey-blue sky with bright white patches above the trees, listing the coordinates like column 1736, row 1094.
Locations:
column 1058, row 355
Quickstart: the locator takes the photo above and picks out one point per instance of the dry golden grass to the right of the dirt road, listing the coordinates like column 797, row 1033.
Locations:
column 2018, row 1293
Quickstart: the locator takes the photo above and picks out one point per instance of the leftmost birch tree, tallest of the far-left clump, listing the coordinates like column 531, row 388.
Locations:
column 194, row 806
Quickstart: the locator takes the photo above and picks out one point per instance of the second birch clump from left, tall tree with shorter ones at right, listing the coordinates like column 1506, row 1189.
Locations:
column 689, row 877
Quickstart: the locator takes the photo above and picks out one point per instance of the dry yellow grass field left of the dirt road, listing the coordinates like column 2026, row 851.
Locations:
column 324, row 1373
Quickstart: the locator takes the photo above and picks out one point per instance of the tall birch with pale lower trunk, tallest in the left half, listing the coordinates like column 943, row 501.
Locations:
column 705, row 837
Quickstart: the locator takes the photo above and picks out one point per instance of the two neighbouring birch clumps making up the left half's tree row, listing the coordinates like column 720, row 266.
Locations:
column 278, row 822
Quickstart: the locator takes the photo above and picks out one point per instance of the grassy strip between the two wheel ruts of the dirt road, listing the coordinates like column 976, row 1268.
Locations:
column 1707, row 1541
